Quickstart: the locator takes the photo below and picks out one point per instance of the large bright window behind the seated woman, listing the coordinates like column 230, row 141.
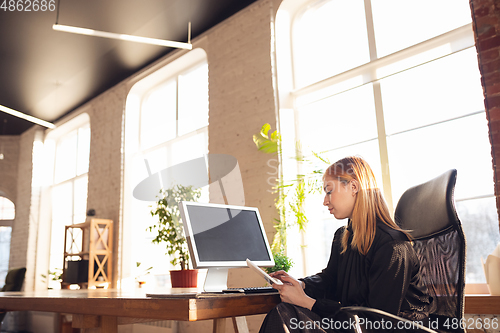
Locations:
column 398, row 84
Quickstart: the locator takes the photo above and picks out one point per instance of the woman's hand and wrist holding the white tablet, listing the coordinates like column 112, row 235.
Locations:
column 292, row 290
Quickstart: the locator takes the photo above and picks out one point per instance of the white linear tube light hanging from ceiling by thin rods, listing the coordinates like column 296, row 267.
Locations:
column 131, row 38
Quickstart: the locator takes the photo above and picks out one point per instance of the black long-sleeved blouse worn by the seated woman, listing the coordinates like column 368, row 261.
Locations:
column 386, row 278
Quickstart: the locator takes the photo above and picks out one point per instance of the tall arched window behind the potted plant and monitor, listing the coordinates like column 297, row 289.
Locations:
column 172, row 118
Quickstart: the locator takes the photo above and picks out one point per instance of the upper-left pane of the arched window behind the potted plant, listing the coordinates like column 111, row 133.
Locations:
column 158, row 115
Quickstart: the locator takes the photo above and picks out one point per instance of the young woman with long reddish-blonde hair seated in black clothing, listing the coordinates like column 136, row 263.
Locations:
column 372, row 261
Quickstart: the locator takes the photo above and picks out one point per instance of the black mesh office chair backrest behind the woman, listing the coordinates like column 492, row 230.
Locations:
column 428, row 212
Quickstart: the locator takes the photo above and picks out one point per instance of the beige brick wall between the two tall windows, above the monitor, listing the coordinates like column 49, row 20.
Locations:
column 242, row 98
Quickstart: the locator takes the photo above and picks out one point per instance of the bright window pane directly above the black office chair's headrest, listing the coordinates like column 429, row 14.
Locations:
column 418, row 156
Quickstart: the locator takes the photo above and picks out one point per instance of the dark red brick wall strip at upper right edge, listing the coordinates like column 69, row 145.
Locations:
column 486, row 22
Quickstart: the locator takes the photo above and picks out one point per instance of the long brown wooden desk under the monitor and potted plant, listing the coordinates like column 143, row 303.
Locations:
column 103, row 310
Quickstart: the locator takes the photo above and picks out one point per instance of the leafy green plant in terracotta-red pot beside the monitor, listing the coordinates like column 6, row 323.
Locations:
column 169, row 231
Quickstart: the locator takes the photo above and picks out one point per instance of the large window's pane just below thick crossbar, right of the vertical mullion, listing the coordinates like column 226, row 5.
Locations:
column 440, row 90
